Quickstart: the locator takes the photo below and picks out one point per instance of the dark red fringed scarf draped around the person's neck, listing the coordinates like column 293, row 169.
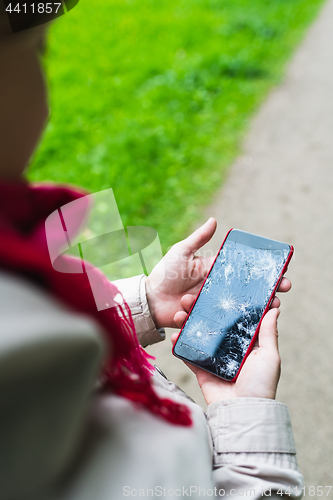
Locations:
column 24, row 251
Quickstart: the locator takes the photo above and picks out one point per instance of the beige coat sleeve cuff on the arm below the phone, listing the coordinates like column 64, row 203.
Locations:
column 254, row 449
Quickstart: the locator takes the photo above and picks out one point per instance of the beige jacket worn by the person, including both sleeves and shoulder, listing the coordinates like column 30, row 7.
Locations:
column 61, row 440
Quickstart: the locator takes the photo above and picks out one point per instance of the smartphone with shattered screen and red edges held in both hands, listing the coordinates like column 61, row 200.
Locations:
column 224, row 321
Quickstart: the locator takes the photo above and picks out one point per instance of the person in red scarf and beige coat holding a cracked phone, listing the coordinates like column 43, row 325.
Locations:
column 82, row 413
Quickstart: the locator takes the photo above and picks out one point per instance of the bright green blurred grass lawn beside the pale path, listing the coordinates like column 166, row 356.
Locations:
column 153, row 97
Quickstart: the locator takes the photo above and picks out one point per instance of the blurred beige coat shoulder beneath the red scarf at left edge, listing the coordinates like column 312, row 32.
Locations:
column 49, row 360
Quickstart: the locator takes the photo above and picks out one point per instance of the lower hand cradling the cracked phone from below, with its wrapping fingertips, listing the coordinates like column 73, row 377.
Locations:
column 260, row 373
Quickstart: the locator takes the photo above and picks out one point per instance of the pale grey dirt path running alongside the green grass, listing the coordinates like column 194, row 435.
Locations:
column 282, row 187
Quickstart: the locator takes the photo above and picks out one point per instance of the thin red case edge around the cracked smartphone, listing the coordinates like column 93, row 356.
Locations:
column 284, row 269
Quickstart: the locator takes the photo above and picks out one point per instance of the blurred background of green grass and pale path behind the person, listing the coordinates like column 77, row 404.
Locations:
column 197, row 108
